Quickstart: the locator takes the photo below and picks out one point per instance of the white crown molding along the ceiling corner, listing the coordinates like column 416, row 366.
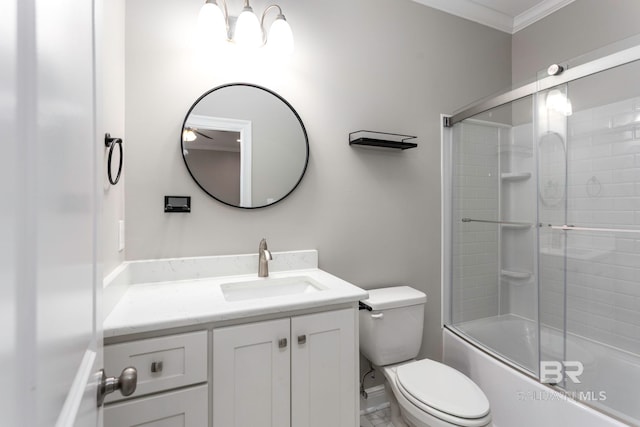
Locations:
column 475, row 12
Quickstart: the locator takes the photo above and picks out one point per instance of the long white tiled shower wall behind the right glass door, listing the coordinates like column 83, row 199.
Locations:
column 602, row 268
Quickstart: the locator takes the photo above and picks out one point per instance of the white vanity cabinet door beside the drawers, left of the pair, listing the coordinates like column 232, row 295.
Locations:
column 251, row 375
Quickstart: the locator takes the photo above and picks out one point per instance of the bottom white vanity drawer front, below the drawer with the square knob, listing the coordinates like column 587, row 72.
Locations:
column 184, row 408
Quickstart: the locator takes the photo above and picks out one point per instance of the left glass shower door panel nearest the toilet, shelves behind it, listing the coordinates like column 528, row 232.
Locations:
column 494, row 288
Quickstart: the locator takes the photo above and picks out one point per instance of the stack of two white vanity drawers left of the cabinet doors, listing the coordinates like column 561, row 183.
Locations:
column 172, row 377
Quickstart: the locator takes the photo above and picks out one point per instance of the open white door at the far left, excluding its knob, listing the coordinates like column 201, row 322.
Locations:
column 50, row 346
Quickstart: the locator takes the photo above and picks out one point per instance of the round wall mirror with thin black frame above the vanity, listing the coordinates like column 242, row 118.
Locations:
column 244, row 145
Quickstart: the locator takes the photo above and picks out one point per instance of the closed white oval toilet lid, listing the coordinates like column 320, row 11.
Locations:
column 443, row 388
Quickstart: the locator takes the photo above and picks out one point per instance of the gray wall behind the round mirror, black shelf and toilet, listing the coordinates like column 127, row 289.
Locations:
column 386, row 65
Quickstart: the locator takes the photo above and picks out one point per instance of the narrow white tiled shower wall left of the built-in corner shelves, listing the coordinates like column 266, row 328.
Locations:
column 475, row 275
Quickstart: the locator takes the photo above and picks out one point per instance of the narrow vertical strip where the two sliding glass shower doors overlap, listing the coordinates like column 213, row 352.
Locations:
column 552, row 108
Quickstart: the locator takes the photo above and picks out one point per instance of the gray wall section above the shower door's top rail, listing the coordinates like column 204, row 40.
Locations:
column 574, row 30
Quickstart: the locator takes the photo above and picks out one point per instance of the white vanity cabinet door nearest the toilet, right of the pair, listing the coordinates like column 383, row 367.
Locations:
column 323, row 369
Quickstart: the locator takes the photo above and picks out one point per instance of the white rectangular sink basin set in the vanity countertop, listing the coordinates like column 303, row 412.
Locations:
column 270, row 287
